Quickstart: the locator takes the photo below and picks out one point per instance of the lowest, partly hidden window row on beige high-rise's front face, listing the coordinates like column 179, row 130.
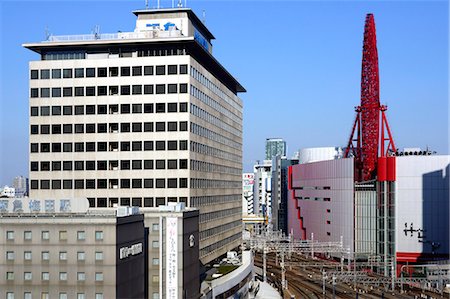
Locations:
column 102, row 202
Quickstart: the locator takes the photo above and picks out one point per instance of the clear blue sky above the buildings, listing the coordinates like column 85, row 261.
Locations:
column 300, row 62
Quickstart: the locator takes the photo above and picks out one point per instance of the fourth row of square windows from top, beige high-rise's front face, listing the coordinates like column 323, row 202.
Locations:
column 137, row 127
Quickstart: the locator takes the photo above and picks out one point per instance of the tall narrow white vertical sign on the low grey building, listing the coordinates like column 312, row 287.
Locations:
column 171, row 257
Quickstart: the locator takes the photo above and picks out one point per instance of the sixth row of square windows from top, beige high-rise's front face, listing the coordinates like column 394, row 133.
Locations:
column 108, row 165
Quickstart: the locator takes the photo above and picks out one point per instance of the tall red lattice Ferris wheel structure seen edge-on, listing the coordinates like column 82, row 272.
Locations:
column 367, row 122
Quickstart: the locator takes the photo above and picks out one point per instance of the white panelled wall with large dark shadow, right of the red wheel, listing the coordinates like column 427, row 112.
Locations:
column 422, row 193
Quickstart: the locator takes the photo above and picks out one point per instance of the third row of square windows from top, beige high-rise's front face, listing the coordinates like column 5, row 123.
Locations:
column 108, row 109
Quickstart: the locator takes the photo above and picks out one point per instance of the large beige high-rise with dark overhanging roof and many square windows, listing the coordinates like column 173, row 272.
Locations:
column 140, row 118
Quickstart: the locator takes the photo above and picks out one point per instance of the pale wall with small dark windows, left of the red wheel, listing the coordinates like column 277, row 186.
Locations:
column 326, row 204
